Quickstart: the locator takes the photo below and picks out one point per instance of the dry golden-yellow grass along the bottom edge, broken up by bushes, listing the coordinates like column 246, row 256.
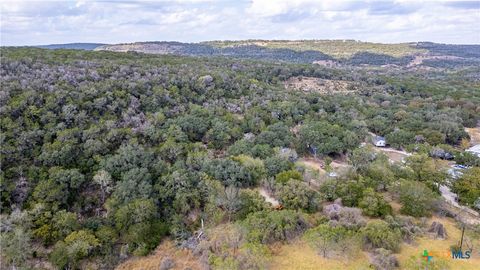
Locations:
column 300, row 255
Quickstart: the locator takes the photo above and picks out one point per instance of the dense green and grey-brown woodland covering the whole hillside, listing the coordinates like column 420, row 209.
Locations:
column 105, row 154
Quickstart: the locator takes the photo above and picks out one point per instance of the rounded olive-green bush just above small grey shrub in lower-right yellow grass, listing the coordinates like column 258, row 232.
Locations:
column 378, row 234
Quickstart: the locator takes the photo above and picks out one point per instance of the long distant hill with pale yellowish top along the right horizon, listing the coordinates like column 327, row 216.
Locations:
column 327, row 52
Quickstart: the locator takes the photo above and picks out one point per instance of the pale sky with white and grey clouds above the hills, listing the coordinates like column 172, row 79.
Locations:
column 109, row 21
